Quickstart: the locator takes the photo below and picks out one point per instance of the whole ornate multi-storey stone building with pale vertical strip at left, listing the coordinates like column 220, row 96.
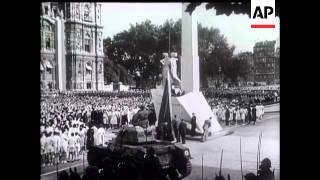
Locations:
column 71, row 54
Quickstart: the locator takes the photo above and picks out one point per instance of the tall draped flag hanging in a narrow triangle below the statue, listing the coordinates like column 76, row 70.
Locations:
column 166, row 110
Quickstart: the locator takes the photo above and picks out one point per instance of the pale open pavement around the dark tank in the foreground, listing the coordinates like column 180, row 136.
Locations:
column 211, row 151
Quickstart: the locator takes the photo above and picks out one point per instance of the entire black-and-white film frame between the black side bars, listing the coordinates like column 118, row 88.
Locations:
column 160, row 91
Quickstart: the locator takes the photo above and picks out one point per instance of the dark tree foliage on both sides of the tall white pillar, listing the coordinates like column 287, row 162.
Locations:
column 140, row 48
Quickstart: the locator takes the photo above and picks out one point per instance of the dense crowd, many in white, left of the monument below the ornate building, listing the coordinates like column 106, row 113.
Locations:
column 66, row 118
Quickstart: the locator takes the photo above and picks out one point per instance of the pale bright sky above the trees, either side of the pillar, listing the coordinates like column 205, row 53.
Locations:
column 117, row 17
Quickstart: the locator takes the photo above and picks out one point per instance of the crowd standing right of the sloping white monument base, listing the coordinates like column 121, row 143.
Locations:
column 241, row 105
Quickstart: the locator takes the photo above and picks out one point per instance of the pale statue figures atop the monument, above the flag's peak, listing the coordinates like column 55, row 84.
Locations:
column 170, row 64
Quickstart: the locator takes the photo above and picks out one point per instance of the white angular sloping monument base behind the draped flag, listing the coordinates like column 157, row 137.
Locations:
column 184, row 106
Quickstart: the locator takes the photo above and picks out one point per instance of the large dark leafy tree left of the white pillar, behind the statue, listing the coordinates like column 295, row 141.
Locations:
column 140, row 48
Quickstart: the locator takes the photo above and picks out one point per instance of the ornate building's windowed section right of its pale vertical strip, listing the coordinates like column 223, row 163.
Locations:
column 84, row 50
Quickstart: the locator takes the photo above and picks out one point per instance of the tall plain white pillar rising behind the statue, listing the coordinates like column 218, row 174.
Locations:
column 189, row 50
